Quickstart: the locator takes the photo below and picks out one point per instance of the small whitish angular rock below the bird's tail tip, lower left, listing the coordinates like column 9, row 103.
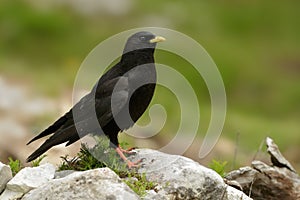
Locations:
column 27, row 179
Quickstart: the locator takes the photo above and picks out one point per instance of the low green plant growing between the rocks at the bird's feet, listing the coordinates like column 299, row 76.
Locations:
column 101, row 155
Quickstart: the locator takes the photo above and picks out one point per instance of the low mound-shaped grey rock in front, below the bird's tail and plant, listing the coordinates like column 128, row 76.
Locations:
column 95, row 184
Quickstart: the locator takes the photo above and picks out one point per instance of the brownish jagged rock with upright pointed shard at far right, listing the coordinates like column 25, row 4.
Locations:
column 262, row 181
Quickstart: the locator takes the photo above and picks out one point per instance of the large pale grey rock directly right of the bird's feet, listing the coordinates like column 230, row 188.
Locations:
column 182, row 178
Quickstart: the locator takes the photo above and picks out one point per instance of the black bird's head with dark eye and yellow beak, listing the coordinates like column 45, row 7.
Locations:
column 142, row 40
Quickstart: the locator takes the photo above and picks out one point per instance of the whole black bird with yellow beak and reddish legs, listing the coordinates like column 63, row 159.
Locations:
column 117, row 101
